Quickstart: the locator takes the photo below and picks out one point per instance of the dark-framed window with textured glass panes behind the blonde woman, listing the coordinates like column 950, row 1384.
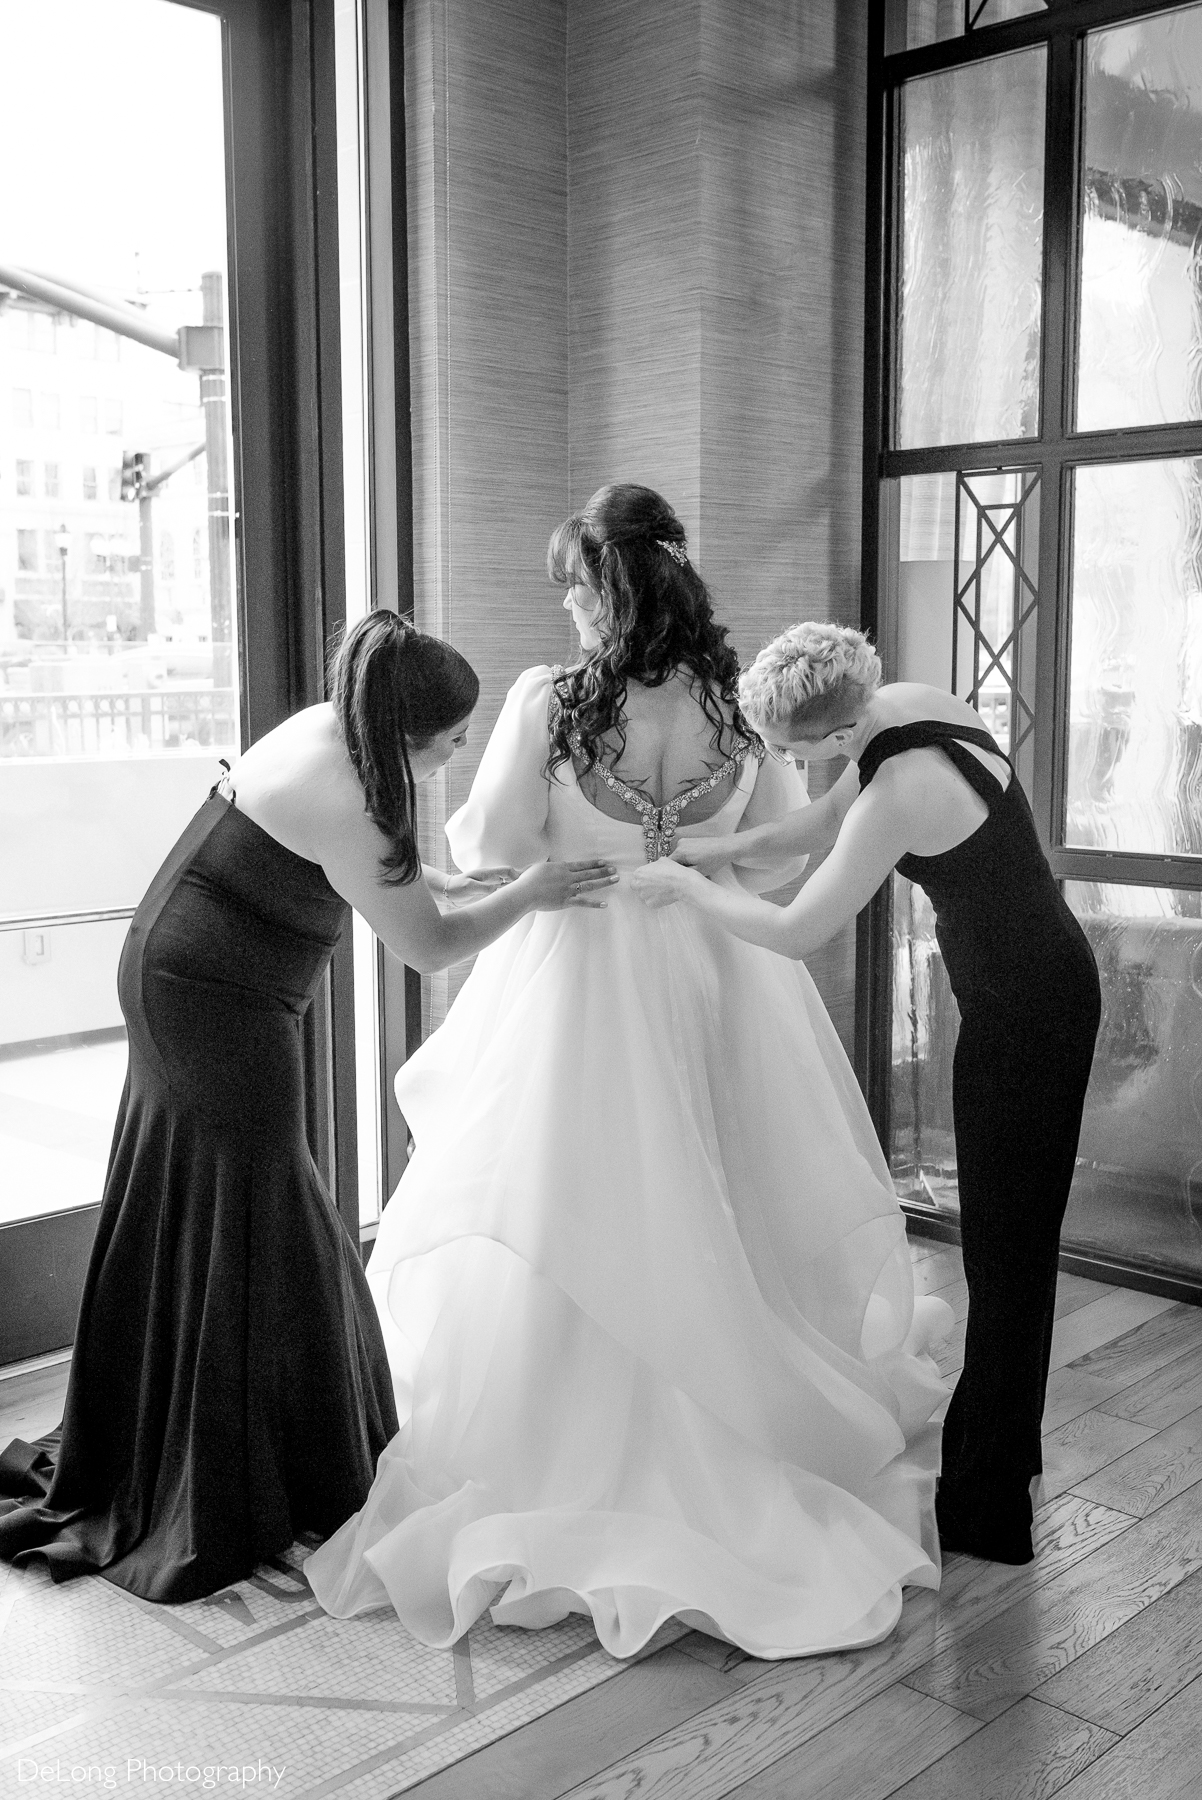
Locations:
column 1034, row 530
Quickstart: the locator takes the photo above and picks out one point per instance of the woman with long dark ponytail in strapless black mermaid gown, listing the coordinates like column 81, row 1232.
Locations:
column 229, row 1385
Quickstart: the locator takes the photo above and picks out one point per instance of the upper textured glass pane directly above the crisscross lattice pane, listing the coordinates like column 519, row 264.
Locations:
column 973, row 242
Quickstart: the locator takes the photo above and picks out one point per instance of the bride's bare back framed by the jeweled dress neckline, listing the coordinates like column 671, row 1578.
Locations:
column 670, row 748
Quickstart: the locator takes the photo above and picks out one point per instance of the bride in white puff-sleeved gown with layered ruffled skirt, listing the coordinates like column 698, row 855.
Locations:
column 645, row 1284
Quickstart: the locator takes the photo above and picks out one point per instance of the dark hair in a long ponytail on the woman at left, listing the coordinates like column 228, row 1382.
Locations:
column 393, row 687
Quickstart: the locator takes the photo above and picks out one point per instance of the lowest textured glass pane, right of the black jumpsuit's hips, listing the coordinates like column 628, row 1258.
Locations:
column 1138, row 1189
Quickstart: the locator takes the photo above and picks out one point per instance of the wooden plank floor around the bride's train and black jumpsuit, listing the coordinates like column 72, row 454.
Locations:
column 1077, row 1677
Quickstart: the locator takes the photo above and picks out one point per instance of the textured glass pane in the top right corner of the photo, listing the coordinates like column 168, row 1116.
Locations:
column 1142, row 228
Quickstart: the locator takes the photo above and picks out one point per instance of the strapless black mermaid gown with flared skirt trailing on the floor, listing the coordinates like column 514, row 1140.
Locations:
column 229, row 1385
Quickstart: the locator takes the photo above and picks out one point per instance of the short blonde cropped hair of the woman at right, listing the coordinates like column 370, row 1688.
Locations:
column 811, row 676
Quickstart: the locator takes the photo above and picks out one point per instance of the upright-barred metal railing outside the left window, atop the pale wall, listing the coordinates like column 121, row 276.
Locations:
column 111, row 724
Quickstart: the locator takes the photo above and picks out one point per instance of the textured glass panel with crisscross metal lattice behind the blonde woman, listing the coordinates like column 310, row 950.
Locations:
column 967, row 597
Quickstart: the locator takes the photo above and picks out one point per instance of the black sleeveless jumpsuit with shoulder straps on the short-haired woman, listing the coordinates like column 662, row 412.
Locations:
column 1028, row 993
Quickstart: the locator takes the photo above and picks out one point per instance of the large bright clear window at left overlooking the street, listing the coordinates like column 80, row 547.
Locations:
column 118, row 669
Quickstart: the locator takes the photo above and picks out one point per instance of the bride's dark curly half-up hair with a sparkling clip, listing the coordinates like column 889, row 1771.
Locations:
column 656, row 618
